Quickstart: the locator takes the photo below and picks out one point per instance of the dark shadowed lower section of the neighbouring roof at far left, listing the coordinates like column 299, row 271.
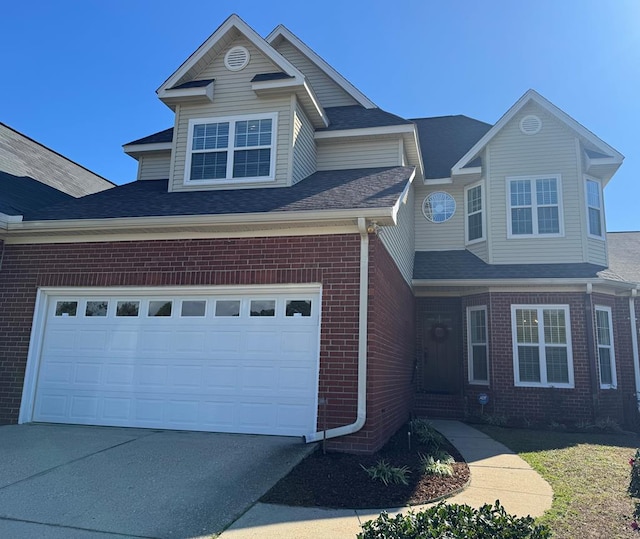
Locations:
column 19, row 194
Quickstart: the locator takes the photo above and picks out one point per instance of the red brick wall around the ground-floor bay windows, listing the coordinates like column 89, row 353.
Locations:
column 551, row 404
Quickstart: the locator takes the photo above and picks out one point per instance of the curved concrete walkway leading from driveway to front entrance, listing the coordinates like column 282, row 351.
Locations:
column 496, row 474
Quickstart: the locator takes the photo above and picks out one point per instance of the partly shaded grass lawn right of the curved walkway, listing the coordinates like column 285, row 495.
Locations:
column 589, row 474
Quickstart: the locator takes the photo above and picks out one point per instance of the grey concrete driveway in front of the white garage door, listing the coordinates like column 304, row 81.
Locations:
column 59, row 481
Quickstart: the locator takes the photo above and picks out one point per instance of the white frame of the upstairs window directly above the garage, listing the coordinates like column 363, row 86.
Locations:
column 231, row 148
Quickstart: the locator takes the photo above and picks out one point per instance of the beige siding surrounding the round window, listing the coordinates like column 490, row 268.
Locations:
column 439, row 236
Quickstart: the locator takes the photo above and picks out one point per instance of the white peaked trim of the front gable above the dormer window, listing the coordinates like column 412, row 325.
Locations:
column 228, row 31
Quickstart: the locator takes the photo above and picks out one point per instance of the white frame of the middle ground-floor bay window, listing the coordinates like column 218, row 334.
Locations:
column 541, row 342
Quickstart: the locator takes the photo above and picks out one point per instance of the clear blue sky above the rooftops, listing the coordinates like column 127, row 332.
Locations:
column 80, row 75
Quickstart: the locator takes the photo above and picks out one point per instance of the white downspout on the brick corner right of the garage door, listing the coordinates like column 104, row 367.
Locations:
column 361, row 416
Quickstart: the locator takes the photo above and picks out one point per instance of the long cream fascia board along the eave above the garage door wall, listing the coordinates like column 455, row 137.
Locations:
column 131, row 223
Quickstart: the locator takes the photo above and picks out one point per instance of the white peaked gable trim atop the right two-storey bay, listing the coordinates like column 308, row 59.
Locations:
column 535, row 97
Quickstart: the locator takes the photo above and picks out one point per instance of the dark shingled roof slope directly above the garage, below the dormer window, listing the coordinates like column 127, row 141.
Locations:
column 327, row 190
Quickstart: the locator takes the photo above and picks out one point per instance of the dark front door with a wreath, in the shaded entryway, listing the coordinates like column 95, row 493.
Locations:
column 441, row 350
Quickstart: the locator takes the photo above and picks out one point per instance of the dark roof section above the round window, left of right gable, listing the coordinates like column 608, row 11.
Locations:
column 445, row 139
